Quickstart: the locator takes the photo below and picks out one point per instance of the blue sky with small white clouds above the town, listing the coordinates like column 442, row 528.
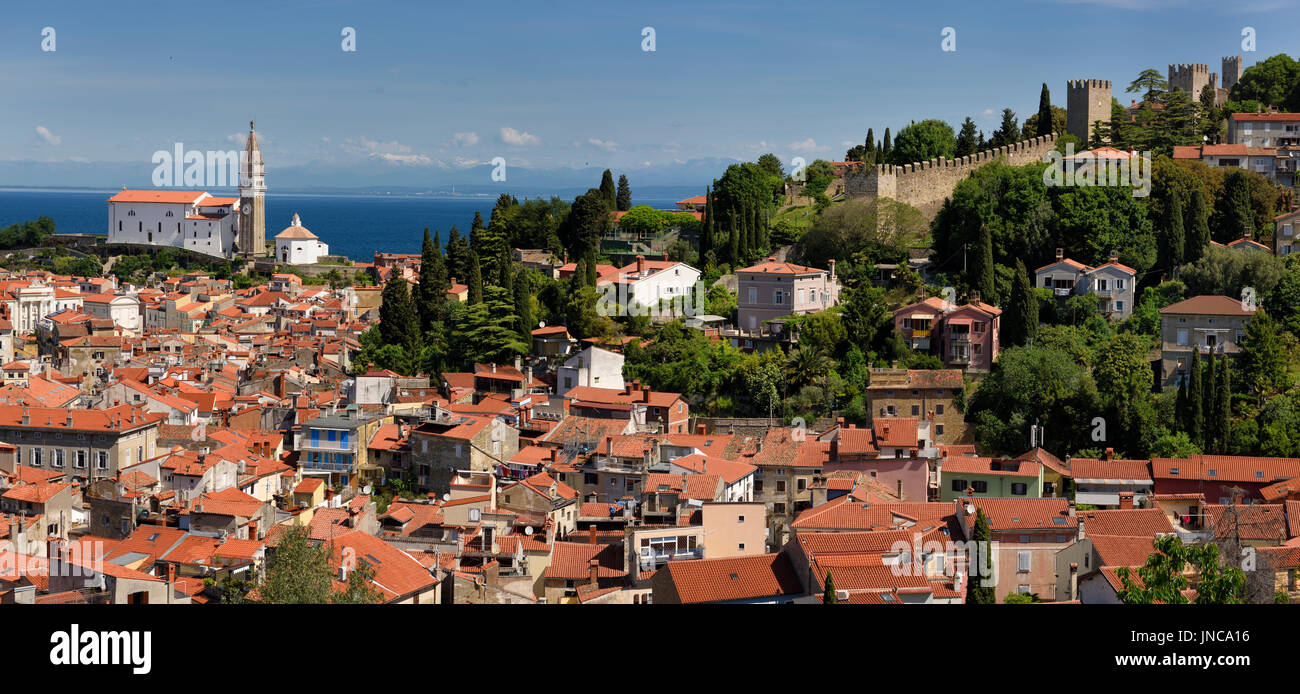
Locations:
column 439, row 89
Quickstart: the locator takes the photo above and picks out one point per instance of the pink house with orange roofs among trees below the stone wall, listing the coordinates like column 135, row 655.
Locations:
column 965, row 337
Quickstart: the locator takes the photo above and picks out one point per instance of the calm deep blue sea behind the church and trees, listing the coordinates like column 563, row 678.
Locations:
column 353, row 225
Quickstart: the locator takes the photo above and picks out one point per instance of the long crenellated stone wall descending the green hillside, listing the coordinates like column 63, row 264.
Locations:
column 926, row 185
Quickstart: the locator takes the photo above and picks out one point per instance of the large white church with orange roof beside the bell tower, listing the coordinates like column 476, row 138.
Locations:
column 192, row 220
